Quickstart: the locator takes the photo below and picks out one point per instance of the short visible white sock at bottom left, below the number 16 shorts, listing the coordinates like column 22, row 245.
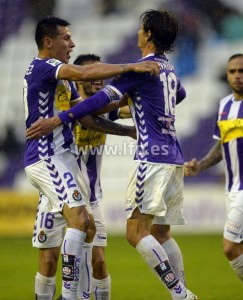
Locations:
column 45, row 287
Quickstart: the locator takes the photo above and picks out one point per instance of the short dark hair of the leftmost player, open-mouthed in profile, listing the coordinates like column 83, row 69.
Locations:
column 48, row 27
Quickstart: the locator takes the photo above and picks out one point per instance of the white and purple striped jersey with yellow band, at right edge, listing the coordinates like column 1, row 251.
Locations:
column 229, row 130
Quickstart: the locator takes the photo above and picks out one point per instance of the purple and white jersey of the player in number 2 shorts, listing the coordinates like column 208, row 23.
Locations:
column 45, row 96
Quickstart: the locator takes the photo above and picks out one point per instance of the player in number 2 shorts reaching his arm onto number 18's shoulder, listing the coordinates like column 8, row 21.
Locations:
column 49, row 161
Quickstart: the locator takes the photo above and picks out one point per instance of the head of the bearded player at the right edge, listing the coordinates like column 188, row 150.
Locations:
column 235, row 75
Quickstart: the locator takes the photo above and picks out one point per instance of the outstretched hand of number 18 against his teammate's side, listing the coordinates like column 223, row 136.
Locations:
column 42, row 127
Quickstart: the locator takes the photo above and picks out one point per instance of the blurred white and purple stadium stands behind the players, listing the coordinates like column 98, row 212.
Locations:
column 210, row 32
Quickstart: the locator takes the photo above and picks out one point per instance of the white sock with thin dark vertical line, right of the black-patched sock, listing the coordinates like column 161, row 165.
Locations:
column 84, row 285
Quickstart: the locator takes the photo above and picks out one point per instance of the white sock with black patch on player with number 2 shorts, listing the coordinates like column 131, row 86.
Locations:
column 71, row 251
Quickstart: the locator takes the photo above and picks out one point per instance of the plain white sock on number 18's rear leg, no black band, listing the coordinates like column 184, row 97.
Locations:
column 174, row 254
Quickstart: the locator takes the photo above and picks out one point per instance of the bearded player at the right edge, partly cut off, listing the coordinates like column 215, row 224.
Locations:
column 229, row 148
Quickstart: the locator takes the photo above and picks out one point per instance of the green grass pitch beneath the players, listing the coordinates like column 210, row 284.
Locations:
column 208, row 273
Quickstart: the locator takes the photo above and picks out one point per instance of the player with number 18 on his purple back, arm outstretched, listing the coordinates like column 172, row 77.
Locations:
column 154, row 198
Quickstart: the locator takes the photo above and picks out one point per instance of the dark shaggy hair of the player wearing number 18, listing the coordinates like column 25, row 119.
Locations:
column 163, row 26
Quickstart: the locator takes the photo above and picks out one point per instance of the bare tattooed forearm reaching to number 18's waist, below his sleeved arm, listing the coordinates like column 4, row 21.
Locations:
column 101, row 124
